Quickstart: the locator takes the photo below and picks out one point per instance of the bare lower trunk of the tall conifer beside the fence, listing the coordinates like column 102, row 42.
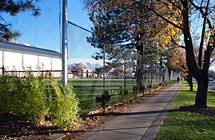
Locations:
column 139, row 72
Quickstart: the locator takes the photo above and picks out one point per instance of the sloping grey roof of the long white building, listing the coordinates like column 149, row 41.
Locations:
column 20, row 48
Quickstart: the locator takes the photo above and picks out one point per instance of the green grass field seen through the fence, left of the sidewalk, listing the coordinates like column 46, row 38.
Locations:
column 88, row 89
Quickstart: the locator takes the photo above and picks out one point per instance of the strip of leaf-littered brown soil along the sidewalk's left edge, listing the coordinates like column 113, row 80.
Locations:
column 18, row 128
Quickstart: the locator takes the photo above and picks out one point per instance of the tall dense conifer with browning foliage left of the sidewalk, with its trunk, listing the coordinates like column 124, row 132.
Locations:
column 129, row 26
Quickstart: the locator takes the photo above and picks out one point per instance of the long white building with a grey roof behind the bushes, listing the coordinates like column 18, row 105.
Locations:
column 20, row 57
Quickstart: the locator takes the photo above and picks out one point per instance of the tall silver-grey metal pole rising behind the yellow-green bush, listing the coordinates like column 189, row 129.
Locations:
column 64, row 44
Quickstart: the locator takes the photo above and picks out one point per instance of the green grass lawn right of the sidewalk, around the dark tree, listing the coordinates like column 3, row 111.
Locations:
column 183, row 125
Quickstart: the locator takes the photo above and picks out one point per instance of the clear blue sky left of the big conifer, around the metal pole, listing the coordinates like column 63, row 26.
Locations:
column 44, row 31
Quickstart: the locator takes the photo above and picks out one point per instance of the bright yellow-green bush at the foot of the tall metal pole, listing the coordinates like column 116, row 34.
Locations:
column 63, row 105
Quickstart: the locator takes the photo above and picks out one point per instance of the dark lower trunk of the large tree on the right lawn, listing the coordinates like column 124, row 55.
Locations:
column 201, row 95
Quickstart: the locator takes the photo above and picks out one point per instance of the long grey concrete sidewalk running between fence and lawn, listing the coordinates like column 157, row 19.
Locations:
column 140, row 122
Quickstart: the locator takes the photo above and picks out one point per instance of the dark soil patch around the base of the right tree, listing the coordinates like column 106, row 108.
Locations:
column 210, row 111
